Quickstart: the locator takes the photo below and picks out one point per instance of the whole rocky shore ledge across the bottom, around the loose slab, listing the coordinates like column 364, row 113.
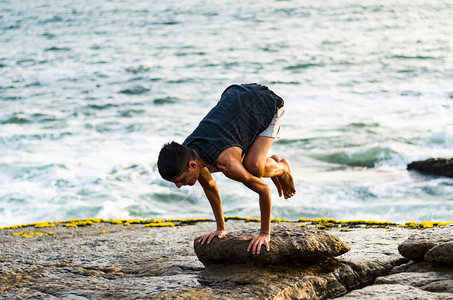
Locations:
column 105, row 261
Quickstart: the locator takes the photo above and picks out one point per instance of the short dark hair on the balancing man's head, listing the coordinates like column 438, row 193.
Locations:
column 173, row 160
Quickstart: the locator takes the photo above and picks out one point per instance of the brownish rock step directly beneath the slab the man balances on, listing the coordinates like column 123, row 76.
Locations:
column 322, row 280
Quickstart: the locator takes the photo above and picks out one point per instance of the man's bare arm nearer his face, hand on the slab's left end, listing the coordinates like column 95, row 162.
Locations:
column 212, row 193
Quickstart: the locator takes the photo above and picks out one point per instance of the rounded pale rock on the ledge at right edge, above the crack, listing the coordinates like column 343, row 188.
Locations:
column 419, row 244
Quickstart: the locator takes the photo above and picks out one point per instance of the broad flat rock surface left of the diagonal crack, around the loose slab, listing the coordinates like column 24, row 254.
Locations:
column 137, row 262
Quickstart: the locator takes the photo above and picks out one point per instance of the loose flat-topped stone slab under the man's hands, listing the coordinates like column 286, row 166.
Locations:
column 287, row 246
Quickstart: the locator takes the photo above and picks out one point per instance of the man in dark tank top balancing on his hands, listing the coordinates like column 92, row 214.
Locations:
column 233, row 138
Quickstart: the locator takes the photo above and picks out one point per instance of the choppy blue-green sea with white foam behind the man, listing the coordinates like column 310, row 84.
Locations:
column 90, row 90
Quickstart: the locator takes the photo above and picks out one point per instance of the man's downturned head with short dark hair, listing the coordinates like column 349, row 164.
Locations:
column 178, row 164
